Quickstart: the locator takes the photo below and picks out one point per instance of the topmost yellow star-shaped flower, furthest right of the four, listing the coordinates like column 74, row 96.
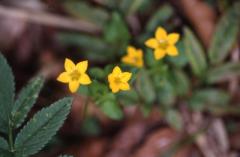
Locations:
column 163, row 43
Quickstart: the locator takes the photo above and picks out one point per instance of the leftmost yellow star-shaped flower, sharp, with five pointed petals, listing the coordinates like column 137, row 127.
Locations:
column 74, row 74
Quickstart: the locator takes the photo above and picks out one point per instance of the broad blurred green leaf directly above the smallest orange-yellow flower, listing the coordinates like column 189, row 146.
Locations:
column 116, row 31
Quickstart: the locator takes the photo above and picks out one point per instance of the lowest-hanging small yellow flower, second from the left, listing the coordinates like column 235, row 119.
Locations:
column 118, row 80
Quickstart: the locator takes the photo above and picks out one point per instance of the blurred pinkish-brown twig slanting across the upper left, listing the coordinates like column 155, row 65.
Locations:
column 48, row 19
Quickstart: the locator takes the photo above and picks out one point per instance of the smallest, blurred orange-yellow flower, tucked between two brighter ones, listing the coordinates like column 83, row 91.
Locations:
column 134, row 57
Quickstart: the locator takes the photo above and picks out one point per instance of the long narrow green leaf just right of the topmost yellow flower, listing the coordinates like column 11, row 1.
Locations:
column 194, row 53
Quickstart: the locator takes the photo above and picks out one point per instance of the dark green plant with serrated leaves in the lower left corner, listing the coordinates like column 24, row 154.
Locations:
column 20, row 139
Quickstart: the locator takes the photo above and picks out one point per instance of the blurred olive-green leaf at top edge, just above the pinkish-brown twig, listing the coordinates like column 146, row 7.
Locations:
column 86, row 12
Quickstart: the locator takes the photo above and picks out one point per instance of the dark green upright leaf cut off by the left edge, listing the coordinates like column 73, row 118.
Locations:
column 7, row 90
